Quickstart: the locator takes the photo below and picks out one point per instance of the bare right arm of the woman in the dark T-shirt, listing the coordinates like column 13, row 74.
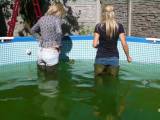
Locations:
column 125, row 46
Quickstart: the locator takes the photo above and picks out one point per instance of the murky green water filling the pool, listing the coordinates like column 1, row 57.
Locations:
column 72, row 92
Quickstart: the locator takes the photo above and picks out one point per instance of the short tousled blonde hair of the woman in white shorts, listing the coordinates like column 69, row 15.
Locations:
column 56, row 9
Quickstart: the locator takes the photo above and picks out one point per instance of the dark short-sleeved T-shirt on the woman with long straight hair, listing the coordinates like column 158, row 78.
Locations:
column 107, row 46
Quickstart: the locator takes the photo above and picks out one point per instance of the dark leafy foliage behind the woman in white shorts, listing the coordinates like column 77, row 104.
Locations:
column 70, row 24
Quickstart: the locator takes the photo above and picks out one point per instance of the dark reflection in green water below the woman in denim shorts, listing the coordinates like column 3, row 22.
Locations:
column 107, row 101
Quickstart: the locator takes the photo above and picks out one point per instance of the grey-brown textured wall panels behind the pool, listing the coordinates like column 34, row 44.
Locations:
column 145, row 15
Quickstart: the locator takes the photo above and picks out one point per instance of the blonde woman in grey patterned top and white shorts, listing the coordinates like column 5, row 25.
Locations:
column 49, row 28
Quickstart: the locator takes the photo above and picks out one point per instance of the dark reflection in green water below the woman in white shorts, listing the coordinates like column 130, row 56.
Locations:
column 53, row 87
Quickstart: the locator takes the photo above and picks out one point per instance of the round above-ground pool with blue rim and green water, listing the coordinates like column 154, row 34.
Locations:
column 72, row 92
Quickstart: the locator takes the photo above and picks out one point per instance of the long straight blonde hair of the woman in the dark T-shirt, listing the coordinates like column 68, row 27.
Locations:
column 108, row 17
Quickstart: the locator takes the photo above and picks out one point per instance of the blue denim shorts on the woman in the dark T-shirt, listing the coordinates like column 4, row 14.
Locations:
column 112, row 61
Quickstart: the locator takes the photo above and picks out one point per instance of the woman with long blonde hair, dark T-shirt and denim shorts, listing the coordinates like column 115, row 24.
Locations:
column 106, row 35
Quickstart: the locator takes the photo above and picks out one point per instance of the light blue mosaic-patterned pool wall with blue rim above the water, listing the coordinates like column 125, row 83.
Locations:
column 77, row 47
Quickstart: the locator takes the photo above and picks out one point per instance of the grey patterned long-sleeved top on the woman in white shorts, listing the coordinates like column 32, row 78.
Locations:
column 50, row 30
